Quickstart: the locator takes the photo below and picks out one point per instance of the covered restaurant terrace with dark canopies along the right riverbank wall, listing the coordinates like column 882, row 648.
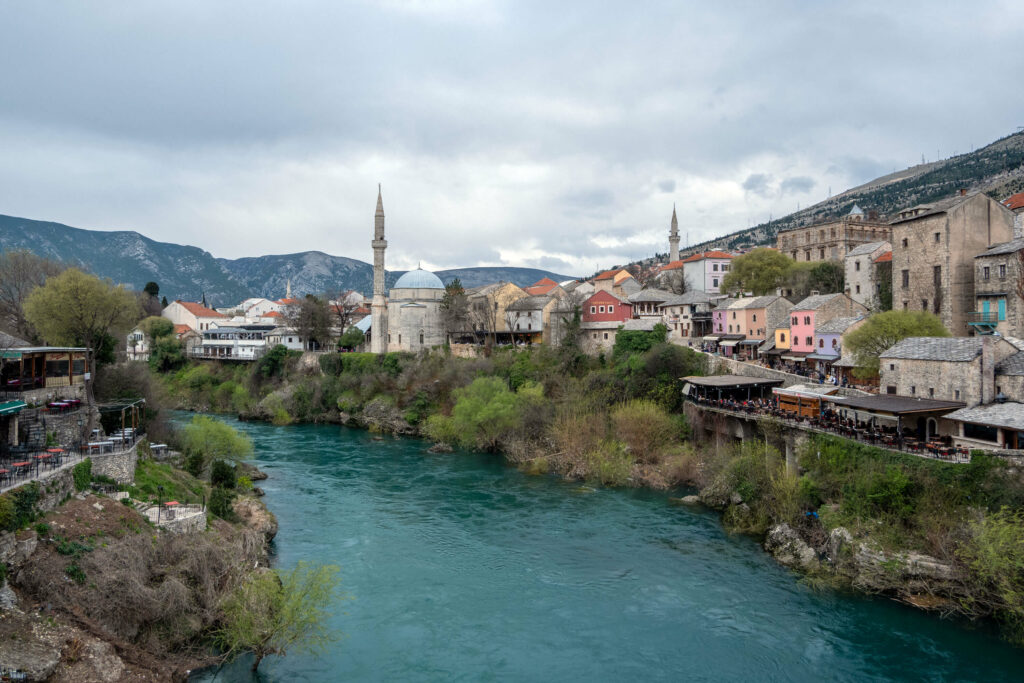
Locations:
column 898, row 423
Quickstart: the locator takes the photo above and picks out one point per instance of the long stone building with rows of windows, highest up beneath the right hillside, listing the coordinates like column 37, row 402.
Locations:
column 833, row 240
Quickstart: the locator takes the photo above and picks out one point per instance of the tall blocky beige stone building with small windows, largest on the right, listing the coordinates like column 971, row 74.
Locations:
column 934, row 246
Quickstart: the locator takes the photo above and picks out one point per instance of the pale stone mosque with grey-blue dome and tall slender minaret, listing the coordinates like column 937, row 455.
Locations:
column 410, row 318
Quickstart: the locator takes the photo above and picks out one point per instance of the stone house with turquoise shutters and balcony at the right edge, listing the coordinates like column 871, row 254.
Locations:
column 998, row 276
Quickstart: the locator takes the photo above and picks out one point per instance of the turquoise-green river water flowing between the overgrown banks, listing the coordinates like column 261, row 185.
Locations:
column 462, row 569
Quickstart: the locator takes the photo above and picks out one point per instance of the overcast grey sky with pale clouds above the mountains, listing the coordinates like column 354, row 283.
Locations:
column 548, row 135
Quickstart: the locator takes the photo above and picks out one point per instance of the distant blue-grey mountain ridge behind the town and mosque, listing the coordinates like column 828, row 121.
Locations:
column 189, row 273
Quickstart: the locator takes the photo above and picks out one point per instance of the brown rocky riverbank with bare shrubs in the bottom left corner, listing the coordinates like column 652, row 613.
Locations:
column 95, row 593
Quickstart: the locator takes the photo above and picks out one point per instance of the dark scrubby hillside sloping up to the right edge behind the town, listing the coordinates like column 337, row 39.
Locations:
column 997, row 169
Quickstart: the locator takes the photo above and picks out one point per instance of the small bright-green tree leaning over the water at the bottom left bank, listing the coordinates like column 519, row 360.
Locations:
column 274, row 612
